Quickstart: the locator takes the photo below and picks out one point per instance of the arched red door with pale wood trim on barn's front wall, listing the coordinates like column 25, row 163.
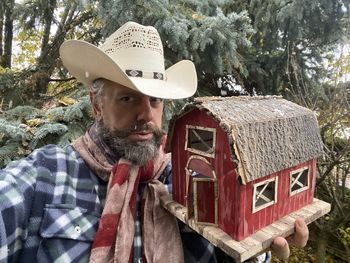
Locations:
column 201, row 191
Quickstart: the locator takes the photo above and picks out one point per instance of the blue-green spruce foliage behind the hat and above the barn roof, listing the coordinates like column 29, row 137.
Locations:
column 265, row 46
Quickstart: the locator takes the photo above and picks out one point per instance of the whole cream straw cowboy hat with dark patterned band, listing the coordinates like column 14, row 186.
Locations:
column 132, row 56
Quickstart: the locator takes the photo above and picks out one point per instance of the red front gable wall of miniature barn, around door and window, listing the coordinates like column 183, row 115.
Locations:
column 223, row 167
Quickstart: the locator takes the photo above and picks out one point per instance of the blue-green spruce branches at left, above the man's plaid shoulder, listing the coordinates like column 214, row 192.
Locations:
column 25, row 128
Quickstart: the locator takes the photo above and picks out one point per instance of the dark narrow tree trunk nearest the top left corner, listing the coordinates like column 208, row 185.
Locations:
column 7, row 55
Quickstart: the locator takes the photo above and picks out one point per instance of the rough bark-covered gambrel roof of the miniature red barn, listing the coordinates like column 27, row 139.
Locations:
column 267, row 133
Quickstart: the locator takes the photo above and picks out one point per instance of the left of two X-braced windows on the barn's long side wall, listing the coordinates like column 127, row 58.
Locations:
column 265, row 194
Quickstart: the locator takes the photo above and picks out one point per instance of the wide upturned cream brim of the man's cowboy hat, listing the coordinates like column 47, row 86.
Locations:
column 87, row 63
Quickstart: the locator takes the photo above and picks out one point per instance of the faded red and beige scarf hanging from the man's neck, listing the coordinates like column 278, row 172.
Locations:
column 114, row 238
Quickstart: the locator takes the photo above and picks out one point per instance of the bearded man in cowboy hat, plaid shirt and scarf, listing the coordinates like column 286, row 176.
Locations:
column 97, row 200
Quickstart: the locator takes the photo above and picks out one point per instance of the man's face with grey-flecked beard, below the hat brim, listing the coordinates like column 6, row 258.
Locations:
column 129, row 122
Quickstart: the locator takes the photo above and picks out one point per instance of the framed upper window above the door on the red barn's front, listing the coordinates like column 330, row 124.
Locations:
column 201, row 140
